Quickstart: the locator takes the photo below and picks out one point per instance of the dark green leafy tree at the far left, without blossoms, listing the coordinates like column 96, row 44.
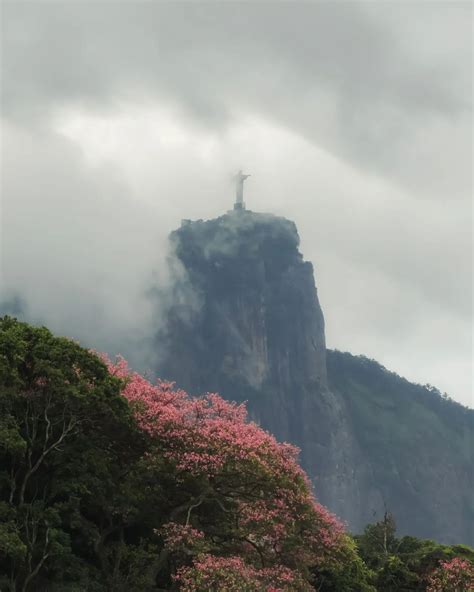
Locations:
column 67, row 439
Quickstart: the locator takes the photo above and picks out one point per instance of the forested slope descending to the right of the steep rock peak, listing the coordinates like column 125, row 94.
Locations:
column 417, row 444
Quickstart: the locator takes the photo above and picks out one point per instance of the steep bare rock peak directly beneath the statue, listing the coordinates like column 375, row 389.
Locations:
column 246, row 322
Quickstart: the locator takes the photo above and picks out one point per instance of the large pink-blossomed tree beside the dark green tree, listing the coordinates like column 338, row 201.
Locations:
column 237, row 512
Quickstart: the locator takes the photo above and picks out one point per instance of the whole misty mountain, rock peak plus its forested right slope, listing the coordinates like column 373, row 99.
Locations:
column 246, row 322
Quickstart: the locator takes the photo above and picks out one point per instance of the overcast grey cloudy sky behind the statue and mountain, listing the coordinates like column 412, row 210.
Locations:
column 354, row 119
